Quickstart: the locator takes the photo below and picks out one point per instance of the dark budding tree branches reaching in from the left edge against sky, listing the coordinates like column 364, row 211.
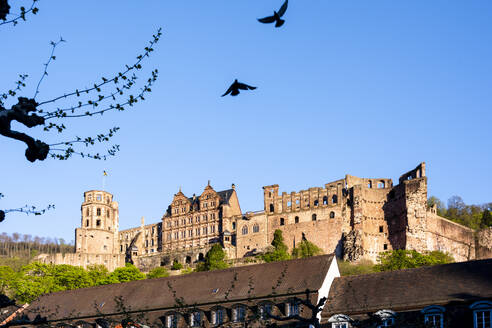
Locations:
column 114, row 93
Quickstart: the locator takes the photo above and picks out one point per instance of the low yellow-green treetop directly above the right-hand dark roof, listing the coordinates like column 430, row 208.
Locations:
column 407, row 259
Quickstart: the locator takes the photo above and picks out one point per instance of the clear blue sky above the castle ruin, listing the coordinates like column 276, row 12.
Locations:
column 367, row 88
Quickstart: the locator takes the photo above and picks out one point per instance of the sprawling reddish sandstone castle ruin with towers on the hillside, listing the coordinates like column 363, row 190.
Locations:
column 355, row 218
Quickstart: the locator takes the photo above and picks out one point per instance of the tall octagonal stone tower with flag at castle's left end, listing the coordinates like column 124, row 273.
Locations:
column 98, row 232
